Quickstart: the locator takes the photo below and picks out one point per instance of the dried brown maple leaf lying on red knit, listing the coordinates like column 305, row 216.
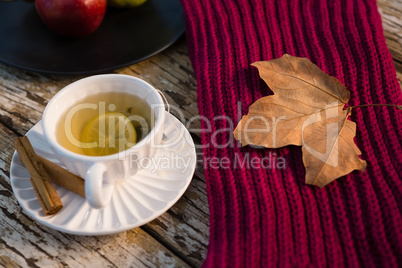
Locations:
column 307, row 109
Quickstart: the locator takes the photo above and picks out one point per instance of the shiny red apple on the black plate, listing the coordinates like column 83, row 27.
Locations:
column 74, row 18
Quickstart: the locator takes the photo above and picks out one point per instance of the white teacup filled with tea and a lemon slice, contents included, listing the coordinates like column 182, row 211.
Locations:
column 94, row 124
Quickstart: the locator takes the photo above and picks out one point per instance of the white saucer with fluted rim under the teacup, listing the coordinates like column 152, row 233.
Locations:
column 136, row 201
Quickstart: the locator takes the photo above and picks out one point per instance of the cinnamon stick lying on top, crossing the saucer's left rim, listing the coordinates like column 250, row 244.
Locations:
column 47, row 195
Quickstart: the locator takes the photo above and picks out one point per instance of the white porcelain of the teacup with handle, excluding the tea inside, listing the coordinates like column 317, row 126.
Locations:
column 102, row 172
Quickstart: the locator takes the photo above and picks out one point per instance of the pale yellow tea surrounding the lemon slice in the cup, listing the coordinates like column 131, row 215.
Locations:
column 72, row 124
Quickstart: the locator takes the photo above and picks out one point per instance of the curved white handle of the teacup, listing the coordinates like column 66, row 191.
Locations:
column 96, row 195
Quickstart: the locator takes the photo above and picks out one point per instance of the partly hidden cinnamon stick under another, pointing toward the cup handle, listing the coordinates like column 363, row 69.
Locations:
column 63, row 177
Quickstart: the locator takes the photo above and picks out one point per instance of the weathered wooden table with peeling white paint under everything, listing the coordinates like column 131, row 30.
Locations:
column 179, row 237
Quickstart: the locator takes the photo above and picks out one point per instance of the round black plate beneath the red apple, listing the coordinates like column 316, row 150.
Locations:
column 126, row 36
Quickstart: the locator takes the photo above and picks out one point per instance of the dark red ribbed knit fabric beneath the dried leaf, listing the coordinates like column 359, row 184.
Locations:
column 266, row 216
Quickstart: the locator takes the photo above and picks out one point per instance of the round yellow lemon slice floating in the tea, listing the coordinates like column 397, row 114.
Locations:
column 108, row 133
